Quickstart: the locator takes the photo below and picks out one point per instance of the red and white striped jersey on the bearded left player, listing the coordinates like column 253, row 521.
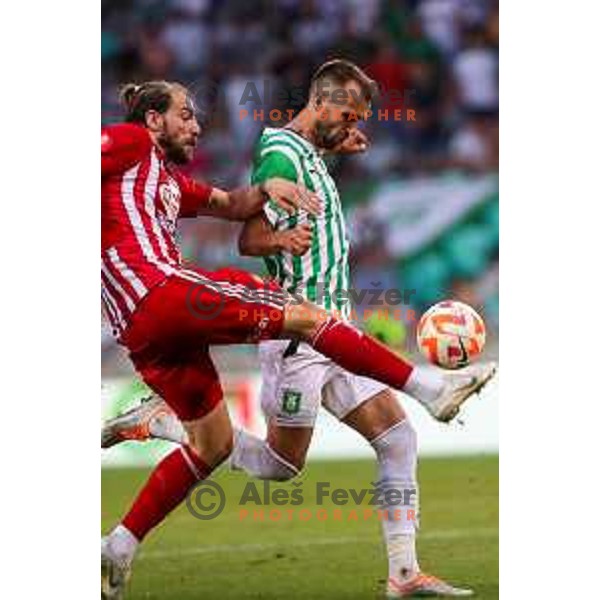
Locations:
column 142, row 198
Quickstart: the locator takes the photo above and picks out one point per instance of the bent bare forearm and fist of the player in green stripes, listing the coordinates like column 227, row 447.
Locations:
column 259, row 238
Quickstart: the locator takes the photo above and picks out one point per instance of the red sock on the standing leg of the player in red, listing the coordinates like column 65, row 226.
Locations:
column 166, row 488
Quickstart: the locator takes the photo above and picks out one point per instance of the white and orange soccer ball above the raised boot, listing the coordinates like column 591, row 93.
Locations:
column 451, row 334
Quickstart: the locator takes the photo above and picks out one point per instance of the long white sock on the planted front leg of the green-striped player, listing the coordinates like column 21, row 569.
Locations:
column 397, row 459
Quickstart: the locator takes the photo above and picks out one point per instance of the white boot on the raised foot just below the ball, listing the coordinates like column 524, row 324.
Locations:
column 459, row 387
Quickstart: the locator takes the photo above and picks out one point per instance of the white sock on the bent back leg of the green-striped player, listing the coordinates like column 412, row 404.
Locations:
column 258, row 459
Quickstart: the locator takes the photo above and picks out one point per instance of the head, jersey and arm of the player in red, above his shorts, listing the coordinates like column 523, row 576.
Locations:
column 143, row 195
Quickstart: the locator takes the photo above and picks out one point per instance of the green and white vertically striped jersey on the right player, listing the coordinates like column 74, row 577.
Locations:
column 324, row 268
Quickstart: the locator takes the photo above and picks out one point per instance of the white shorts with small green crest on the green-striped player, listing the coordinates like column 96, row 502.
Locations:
column 294, row 387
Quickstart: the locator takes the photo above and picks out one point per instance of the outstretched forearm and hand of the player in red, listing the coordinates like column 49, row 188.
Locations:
column 243, row 203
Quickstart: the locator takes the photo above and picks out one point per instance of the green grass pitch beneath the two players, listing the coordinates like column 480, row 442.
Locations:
column 186, row 558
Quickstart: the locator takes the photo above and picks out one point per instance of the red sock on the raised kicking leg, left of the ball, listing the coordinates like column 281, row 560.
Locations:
column 360, row 354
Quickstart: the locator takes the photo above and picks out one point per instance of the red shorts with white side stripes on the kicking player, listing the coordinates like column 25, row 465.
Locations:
column 170, row 332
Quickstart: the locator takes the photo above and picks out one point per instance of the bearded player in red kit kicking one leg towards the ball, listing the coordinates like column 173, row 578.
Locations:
column 167, row 315
